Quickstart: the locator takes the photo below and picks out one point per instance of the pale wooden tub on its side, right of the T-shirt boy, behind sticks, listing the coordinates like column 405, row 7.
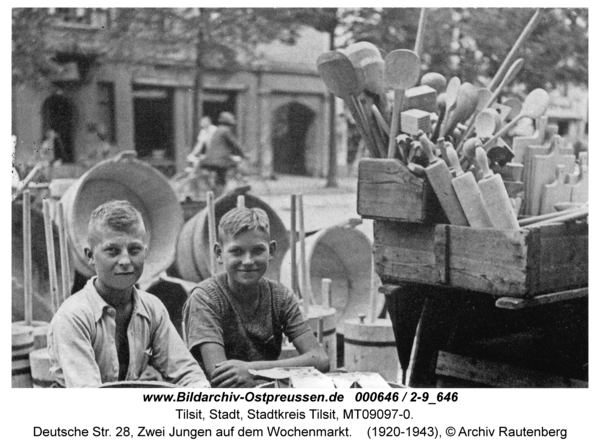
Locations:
column 344, row 255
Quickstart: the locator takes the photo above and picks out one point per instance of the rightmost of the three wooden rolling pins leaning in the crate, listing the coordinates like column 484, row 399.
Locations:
column 494, row 195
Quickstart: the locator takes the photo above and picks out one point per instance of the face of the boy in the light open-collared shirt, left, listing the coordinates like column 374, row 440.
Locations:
column 117, row 256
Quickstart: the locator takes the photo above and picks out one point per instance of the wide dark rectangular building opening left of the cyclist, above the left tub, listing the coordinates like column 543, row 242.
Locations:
column 153, row 121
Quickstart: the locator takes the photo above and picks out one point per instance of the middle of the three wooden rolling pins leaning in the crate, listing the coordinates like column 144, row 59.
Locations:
column 468, row 193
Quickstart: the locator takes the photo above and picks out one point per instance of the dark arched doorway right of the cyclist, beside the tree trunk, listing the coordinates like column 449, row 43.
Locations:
column 291, row 125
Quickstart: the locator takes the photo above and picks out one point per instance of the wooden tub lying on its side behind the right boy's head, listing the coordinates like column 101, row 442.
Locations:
column 193, row 251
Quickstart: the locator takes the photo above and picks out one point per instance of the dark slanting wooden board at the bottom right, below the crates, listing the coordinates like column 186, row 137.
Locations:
column 495, row 374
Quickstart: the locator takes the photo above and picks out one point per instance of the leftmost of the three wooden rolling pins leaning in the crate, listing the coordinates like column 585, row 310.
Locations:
column 441, row 181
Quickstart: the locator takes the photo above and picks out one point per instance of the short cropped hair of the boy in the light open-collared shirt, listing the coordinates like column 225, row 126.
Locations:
column 118, row 215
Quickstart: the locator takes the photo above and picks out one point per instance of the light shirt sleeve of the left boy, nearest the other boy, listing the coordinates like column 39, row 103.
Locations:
column 170, row 355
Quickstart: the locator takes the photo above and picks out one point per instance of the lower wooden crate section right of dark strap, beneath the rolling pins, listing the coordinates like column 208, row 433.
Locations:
column 514, row 263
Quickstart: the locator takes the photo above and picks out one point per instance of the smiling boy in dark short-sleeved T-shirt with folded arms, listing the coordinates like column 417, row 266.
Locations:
column 235, row 320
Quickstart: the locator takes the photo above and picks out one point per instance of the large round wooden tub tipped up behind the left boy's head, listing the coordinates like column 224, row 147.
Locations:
column 148, row 190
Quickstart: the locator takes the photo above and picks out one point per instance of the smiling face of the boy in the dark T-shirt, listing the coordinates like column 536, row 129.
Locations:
column 245, row 257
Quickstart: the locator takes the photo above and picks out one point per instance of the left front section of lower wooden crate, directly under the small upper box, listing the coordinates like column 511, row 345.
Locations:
column 404, row 252
